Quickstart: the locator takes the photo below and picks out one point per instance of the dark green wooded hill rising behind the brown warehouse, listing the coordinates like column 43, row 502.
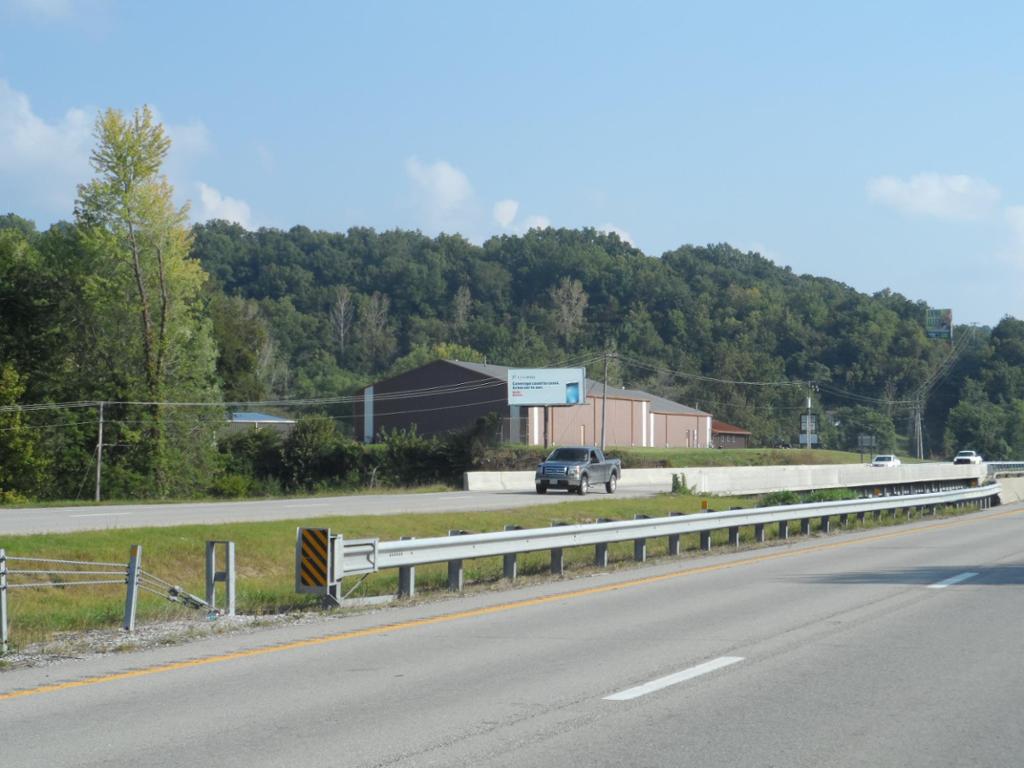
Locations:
column 334, row 311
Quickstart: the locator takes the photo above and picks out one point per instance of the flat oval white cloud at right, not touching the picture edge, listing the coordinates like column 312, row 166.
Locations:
column 948, row 197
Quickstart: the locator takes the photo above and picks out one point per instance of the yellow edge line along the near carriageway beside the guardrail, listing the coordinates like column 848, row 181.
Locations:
column 500, row 609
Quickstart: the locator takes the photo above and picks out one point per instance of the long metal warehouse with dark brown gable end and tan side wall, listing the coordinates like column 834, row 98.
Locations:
column 448, row 395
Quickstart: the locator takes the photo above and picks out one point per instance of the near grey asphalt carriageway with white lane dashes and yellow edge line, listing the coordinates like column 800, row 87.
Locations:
column 887, row 648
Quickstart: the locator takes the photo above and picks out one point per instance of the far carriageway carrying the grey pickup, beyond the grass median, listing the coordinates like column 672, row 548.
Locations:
column 95, row 518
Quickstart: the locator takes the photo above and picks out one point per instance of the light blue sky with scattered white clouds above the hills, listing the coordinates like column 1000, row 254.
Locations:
column 877, row 145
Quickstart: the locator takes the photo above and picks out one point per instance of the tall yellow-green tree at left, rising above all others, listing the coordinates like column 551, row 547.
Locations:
column 142, row 244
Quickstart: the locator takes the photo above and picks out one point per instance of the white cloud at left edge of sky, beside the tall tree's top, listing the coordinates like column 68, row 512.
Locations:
column 41, row 162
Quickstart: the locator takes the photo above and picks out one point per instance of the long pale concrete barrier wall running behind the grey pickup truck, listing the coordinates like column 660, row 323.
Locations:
column 748, row 481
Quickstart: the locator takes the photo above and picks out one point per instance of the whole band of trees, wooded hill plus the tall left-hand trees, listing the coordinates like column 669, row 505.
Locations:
column 130, row 307
